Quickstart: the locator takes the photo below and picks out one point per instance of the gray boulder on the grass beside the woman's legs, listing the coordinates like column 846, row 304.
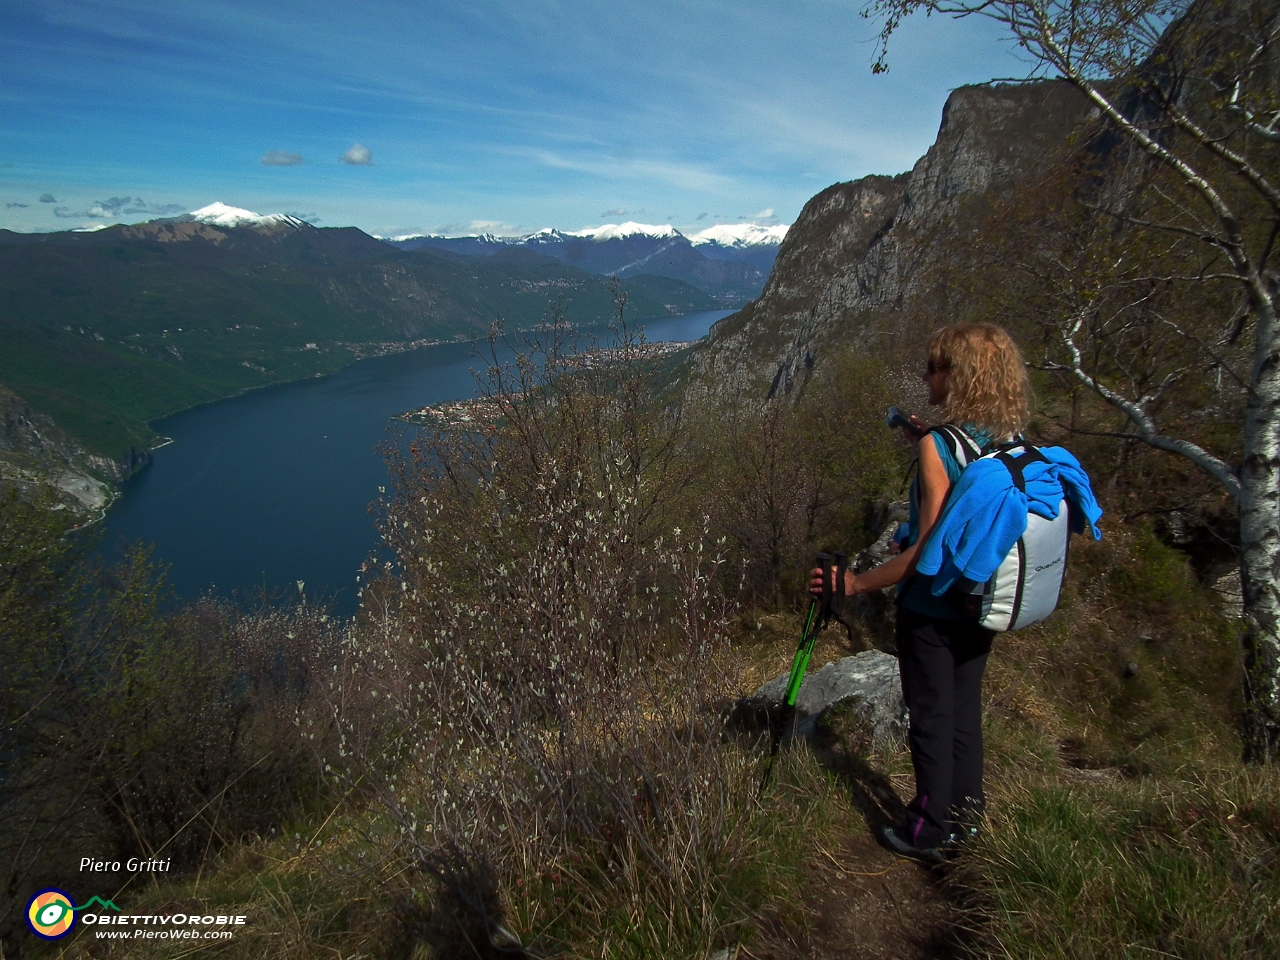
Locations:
column 870, row 682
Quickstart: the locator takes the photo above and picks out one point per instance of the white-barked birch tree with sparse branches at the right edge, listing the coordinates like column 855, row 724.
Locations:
column 1188, row 95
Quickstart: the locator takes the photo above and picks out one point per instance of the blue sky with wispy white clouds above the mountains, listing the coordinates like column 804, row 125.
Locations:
column 459, row 117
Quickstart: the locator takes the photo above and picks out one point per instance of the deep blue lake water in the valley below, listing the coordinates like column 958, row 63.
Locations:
column 273, row 487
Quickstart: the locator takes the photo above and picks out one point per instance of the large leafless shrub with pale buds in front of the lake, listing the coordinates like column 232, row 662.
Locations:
column 546, row 671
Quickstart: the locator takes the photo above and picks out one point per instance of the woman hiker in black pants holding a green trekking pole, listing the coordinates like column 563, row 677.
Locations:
column 977, row 377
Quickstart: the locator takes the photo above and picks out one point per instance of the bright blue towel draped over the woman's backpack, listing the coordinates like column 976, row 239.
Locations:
column 986, row 514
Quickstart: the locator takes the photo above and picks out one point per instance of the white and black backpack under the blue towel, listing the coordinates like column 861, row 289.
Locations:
column 1027, row 584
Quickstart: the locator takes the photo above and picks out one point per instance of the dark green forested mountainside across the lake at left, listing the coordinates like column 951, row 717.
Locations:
column 106, row 333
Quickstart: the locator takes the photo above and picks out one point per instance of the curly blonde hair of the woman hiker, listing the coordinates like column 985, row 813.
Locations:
column 989, row 383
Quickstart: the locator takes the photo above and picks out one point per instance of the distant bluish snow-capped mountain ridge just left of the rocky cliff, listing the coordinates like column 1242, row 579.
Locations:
column 730, row 262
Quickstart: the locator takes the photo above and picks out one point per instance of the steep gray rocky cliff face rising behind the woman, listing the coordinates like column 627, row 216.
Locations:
column 861, row 252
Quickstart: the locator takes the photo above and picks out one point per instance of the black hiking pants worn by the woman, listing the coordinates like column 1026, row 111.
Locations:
column 941, row 665
